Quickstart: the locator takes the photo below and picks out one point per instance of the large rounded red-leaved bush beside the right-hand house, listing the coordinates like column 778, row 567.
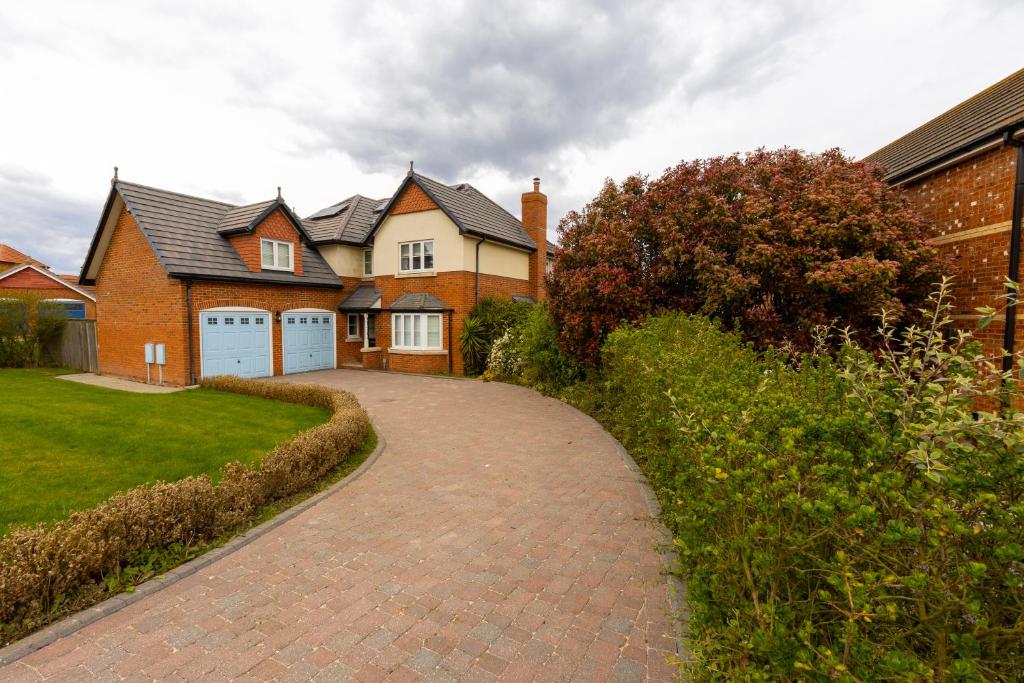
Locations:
column 774, row 243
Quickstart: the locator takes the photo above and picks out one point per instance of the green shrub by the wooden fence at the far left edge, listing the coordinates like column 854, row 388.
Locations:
column 28, row 328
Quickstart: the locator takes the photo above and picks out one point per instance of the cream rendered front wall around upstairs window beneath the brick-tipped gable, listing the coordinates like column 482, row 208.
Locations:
column 420, row 226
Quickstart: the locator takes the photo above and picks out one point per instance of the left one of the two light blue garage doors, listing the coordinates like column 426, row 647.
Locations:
column 236, row 344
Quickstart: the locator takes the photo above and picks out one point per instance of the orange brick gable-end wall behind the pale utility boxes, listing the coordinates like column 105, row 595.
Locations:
column 138, row 303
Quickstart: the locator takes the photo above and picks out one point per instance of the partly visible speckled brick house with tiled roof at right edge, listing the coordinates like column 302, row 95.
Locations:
column 964, row 172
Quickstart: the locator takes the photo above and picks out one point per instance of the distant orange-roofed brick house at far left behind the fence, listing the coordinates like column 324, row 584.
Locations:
column 23, row 277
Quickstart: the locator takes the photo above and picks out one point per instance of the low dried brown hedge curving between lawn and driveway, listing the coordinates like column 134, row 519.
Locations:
column 39, row 565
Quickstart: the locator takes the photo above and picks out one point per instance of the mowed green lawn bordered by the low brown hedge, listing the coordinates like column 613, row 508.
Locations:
column 66, row 447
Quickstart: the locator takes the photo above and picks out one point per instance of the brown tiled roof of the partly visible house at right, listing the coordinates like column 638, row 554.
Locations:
column 985, row 117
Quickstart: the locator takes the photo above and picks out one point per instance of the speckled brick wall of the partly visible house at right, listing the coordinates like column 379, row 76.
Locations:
column 971, row 205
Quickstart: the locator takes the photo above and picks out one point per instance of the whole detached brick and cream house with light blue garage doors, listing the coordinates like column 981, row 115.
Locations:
column 258, row 291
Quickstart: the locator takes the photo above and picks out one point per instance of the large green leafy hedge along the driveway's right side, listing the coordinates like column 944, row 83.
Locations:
column 846, row 519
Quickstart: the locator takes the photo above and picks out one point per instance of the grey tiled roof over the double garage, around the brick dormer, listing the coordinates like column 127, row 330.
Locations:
column 184, row 232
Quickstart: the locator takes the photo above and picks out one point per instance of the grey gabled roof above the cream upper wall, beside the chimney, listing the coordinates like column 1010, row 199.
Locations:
column 468, row 208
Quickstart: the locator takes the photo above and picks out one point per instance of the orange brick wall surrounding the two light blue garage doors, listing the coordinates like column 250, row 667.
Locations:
column 275, row 298
